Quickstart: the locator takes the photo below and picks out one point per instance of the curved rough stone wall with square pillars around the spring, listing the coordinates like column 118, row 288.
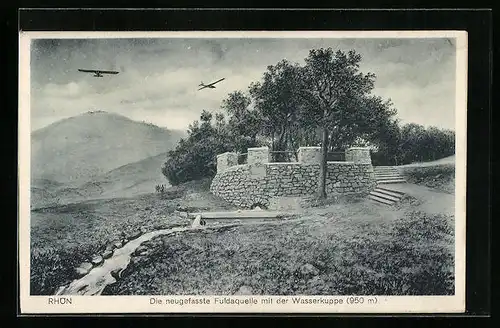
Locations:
column 259, row 181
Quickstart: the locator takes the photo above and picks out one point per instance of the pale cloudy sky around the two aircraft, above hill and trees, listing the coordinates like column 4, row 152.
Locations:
column 159, row 78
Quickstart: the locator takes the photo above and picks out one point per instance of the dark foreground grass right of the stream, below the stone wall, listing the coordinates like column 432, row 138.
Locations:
column 353, row 250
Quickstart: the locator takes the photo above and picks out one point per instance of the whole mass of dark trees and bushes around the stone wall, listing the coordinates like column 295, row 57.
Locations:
column 327, row 101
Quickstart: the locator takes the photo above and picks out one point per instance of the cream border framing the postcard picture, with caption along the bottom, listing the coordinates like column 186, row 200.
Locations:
column 141, row 304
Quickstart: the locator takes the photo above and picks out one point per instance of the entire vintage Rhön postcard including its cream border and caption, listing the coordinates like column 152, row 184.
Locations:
column 242, row 172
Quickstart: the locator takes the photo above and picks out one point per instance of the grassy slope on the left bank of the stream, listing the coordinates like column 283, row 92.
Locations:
column 62, row 237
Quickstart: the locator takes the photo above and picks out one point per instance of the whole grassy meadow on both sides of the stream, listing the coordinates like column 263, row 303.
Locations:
column 341, row 246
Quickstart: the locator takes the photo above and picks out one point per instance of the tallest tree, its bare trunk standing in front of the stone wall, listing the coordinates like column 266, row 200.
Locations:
column 332, row 86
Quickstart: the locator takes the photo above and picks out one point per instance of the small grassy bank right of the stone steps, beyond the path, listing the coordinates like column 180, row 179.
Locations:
column 439, row 176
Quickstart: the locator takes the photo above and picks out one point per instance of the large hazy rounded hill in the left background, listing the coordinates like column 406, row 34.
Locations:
column 79, row 149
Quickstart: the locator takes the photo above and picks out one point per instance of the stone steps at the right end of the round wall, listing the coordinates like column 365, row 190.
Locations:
column 383, row 193
